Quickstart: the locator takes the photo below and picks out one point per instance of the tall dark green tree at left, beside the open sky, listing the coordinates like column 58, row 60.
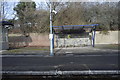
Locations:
column 25, row 14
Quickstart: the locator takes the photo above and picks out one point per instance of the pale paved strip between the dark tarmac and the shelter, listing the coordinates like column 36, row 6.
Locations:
column 59, row 51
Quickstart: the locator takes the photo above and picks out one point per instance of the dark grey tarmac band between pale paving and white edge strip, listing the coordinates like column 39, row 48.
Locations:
column 64, row 63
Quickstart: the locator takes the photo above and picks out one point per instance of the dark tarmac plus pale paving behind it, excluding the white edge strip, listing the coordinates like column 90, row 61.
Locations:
column 65, row 59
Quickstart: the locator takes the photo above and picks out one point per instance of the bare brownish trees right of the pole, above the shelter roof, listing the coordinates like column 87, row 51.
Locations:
column 105, row 14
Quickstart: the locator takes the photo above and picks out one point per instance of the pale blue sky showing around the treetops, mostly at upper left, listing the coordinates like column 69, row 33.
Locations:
column 12, row 3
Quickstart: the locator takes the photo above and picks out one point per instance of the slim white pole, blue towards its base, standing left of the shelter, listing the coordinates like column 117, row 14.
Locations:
column 51, row 32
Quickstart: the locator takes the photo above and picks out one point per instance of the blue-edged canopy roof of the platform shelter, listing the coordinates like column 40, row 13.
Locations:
column 73, row 29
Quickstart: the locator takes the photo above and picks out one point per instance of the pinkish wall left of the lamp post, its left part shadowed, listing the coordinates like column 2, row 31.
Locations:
column 33, row 40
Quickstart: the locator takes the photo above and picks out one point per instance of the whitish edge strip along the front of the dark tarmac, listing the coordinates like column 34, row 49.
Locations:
column 53, row 73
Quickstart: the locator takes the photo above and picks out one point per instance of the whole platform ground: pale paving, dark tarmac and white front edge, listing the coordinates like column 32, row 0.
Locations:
column 66, row 61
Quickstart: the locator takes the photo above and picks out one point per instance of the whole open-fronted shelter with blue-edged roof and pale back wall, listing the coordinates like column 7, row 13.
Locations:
column 75, row 35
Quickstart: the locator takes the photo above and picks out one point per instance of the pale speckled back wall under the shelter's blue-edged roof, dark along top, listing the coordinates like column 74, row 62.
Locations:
column 73, row 40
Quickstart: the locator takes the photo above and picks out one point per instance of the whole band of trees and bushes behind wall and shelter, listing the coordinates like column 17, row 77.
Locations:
column 76, row 13
